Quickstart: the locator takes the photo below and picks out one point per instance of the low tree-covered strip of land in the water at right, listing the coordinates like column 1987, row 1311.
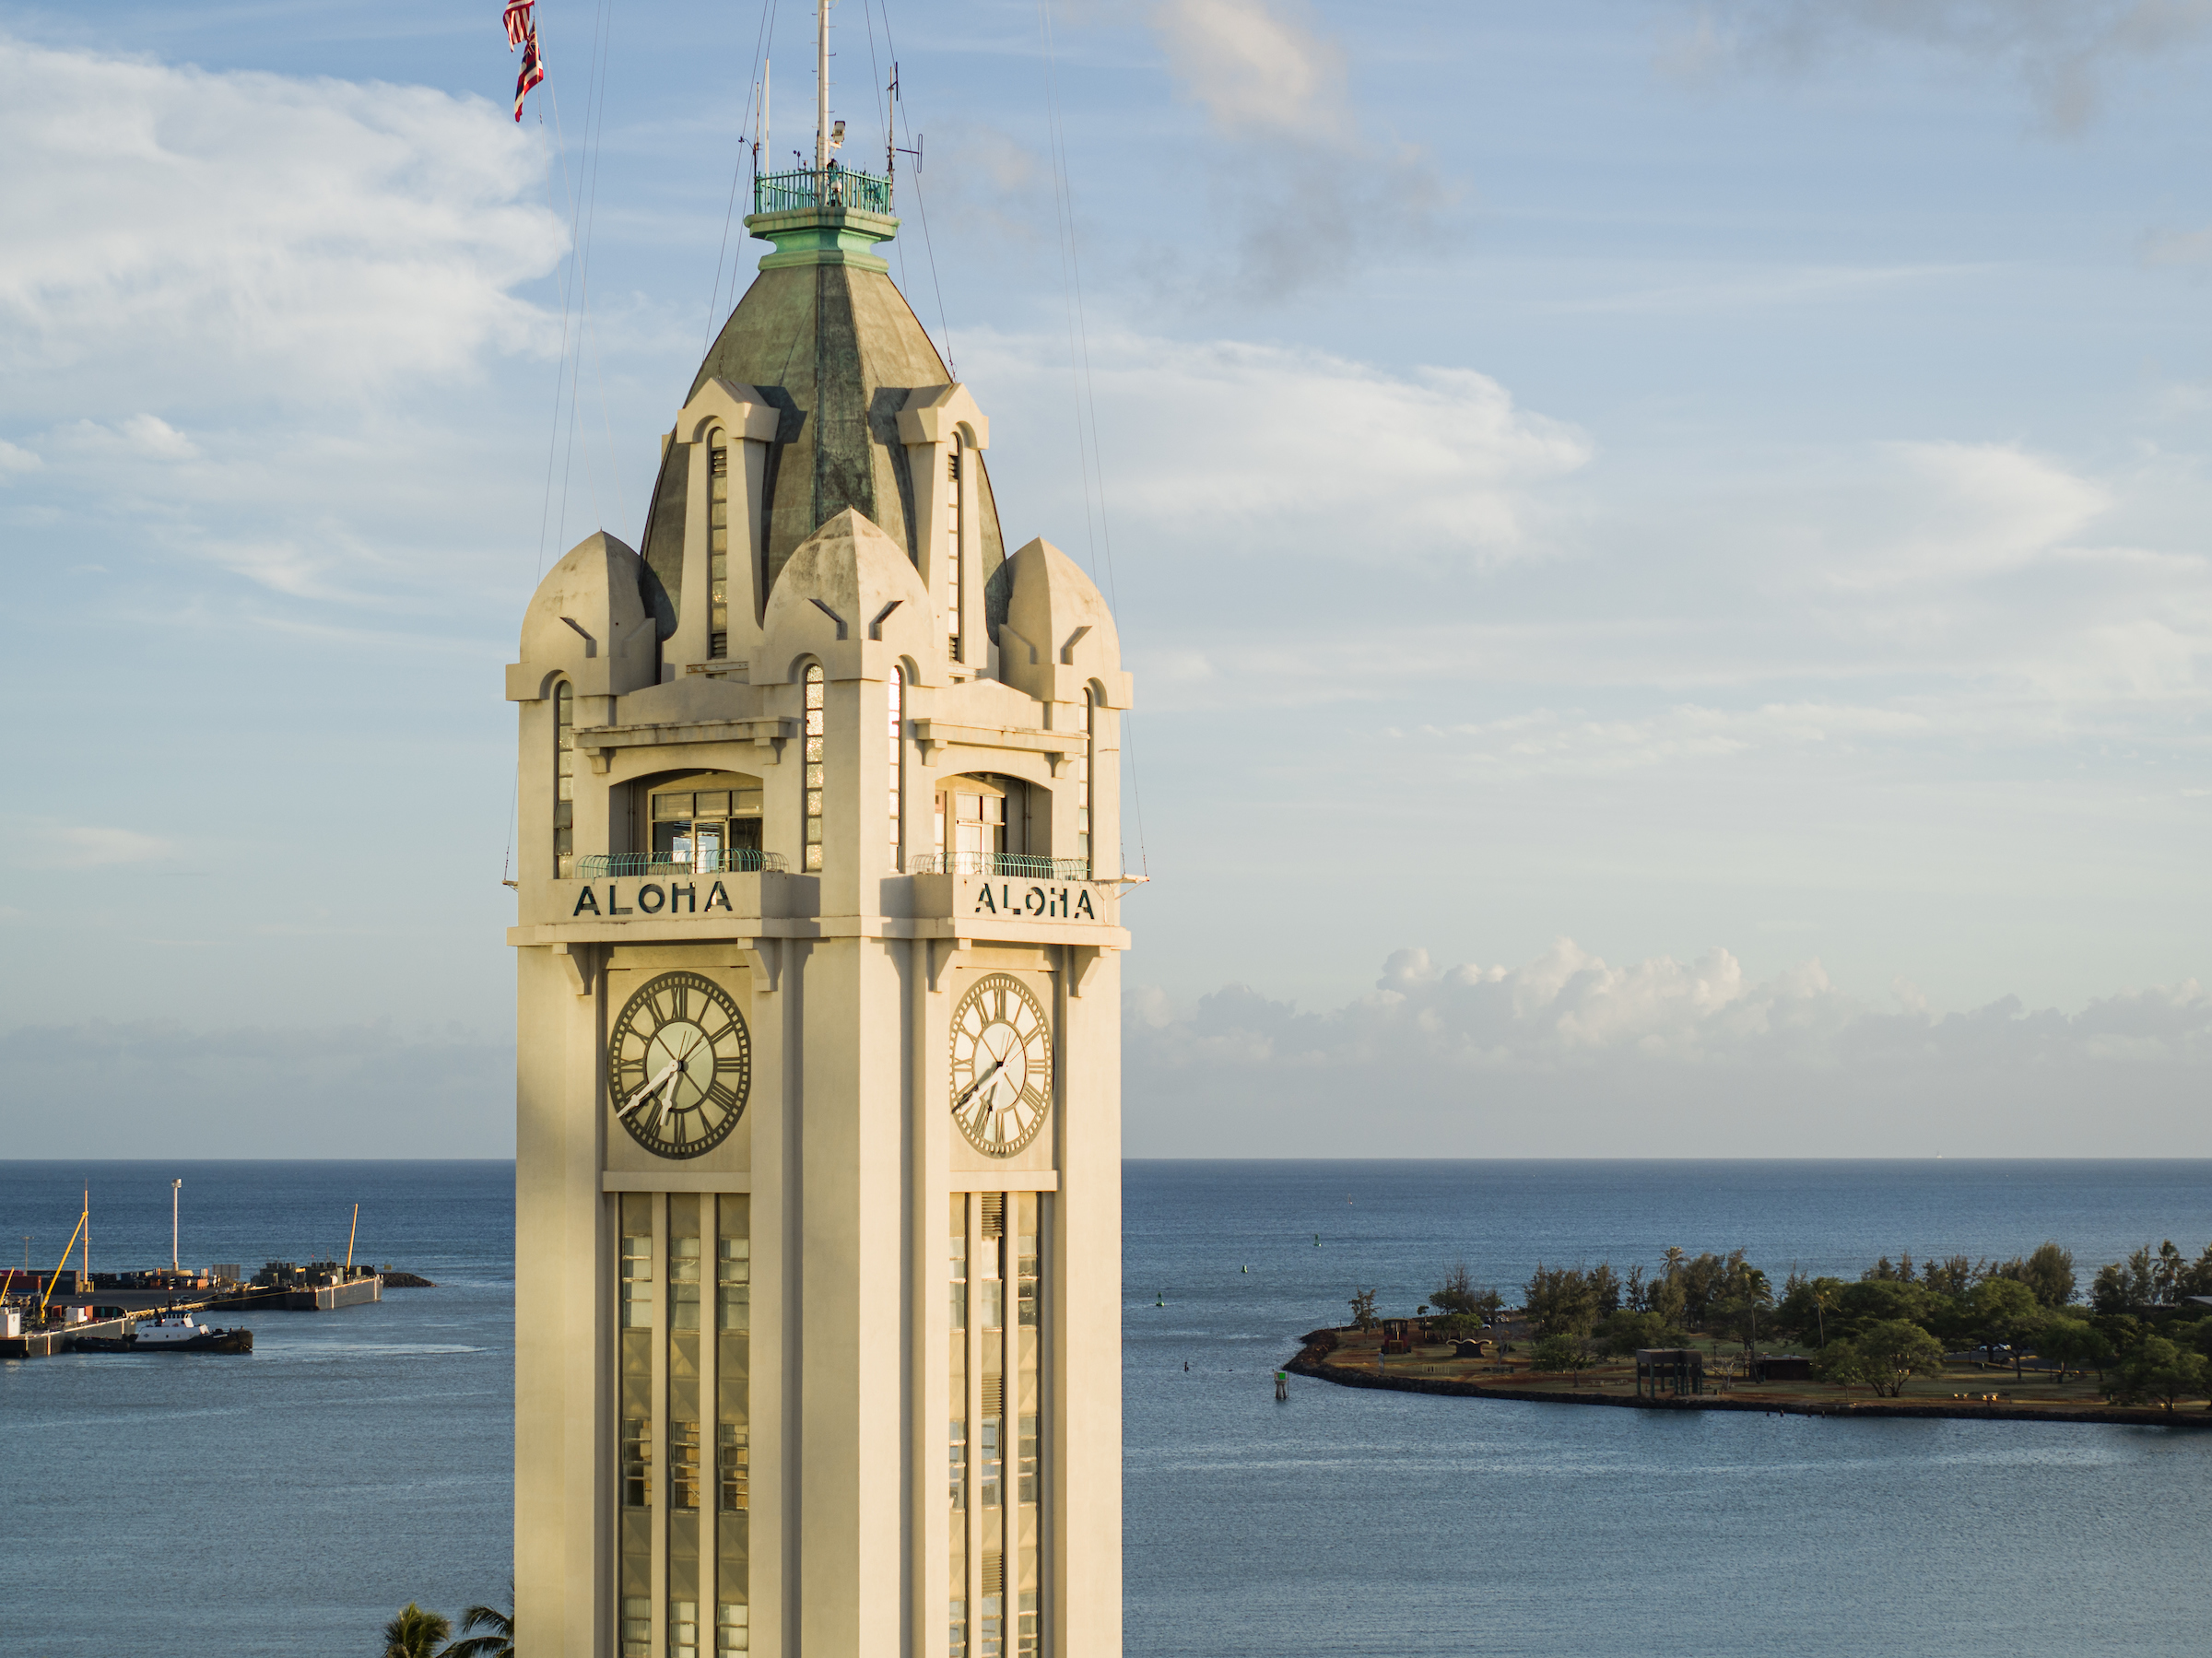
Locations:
column 1948, row 1339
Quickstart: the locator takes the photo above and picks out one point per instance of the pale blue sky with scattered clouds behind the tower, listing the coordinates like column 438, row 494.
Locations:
column 1665, row 545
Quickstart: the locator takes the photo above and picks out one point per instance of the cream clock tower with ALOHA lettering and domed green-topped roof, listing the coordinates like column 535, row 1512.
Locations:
column 817, row 985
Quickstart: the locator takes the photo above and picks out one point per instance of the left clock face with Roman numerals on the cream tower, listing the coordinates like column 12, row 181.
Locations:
column 680, row 1064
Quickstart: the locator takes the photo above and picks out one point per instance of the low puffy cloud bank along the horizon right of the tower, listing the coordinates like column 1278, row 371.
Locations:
column 1569, row 1056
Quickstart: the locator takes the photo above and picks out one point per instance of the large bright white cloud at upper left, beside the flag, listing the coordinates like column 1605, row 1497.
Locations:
column 304, row 238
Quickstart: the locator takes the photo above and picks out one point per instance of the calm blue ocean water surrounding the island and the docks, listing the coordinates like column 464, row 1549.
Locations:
column 359, row 1460
